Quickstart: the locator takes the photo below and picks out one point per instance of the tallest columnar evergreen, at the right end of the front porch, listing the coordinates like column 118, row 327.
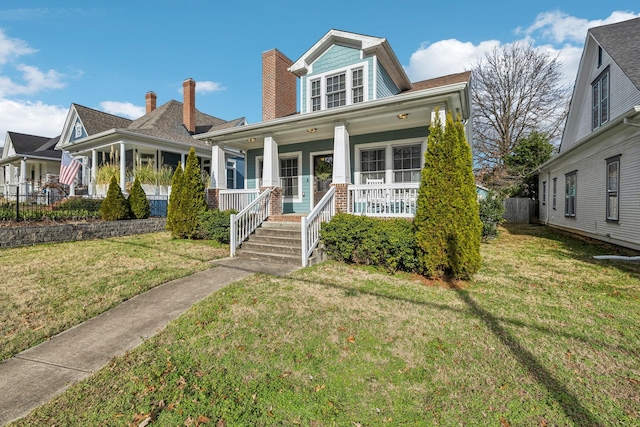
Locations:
column 447, row 221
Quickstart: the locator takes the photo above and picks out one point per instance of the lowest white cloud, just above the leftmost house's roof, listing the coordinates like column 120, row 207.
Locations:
column 33, row 118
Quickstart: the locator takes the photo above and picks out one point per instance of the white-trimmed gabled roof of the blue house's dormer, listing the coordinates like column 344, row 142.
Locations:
column 369, row 45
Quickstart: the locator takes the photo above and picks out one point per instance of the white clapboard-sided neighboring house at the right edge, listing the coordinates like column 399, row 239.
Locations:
column 592, row 186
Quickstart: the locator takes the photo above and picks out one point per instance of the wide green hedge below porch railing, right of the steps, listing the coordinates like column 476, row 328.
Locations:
column 389, row 243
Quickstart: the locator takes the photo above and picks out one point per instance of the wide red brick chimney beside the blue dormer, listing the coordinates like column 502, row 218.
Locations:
column 278, row 86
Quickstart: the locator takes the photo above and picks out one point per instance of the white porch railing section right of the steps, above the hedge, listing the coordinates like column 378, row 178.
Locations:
column 383, row 200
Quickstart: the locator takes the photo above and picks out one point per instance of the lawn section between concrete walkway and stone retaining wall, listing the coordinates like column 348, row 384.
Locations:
column 46, row 289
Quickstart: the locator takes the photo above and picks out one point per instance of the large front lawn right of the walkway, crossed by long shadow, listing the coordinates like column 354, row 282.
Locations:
column 543, row 336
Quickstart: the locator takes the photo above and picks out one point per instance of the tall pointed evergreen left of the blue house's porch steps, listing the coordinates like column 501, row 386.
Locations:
column 190, row 203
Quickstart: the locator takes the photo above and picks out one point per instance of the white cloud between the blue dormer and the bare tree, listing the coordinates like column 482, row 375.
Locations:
column 446, row 57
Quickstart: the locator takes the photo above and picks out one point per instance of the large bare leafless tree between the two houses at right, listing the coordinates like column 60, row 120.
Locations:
column 516, row 90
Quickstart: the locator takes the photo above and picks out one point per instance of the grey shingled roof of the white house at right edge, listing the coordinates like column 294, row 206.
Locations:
column 620, row 41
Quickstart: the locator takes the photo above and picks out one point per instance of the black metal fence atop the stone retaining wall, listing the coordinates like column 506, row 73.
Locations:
column 42, row 206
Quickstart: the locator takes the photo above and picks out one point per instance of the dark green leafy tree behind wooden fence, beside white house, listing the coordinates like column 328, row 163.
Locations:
column 530, row 153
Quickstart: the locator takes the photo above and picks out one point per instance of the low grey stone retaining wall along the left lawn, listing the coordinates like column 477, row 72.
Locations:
column 11, row 237
